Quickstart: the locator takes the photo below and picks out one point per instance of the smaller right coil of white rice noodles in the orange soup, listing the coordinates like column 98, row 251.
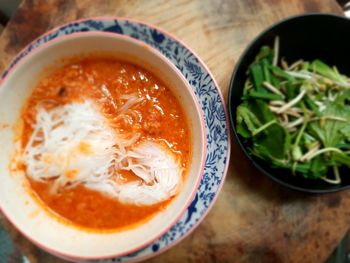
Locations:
column 159, row 171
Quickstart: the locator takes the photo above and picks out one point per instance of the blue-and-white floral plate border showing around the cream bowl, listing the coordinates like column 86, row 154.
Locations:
column 203, row 84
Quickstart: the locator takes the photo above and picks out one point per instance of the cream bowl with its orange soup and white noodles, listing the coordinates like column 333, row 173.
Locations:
column 102, row 145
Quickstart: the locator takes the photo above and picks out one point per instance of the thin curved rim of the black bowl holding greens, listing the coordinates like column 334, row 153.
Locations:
column 230, row 103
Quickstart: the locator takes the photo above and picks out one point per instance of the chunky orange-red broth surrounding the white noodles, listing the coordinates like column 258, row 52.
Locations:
column 162, row 119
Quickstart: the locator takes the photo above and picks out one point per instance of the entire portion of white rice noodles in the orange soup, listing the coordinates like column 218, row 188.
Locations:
column 75, row 144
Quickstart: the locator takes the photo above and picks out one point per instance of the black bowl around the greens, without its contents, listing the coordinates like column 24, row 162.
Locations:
column 311, row 36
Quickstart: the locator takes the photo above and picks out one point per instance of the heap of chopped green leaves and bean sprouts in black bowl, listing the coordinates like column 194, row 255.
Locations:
column 297, row 116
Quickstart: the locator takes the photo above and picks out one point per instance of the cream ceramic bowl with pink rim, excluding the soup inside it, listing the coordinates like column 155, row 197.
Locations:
column 15, row 200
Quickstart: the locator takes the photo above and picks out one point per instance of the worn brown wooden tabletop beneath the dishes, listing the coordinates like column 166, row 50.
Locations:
column 254, row 219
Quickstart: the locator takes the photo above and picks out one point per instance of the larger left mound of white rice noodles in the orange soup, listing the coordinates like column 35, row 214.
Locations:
column 67, row 139
